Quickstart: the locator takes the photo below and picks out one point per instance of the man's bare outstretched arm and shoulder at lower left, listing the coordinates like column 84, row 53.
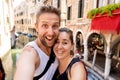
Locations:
column 25, row 67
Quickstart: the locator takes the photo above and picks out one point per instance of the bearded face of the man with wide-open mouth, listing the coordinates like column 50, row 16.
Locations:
column 47, row 28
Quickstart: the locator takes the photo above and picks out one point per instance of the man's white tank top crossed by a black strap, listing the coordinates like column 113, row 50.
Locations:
column 43, row 62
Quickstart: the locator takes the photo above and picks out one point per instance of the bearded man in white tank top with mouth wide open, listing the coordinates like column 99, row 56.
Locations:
column 35, row 54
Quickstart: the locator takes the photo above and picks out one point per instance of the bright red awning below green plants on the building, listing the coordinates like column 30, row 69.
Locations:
column 107, row 23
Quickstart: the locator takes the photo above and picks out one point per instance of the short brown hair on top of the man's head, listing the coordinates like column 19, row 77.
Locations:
column 48, row 9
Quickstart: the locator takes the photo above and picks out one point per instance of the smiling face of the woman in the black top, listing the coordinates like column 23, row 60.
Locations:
column 63, row 46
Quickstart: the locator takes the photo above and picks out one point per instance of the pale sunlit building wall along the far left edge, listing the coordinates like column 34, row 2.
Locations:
column 6, row 25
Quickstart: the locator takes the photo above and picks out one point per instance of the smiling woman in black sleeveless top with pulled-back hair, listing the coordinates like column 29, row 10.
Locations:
column 70, row 68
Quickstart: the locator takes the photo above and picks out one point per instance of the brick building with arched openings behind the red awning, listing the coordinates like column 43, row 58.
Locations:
column 104, row 42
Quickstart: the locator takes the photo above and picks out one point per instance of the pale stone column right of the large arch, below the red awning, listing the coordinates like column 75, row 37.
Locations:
column 108, row 59
